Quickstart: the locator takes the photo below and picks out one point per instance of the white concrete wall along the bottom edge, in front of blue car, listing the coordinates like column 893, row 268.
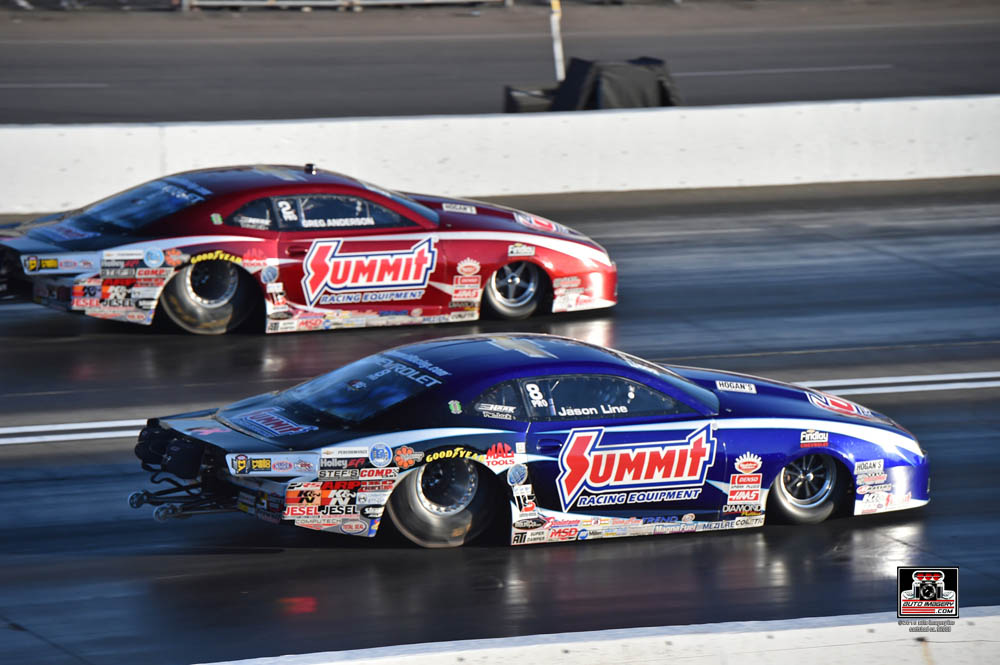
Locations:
column 864, row 638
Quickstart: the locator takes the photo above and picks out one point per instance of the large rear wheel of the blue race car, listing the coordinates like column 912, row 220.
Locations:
column 445, row 503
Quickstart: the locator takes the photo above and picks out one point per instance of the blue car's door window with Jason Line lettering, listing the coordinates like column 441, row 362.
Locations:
column 590, row 396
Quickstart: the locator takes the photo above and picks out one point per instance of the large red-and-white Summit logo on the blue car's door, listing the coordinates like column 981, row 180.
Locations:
column 586, row 464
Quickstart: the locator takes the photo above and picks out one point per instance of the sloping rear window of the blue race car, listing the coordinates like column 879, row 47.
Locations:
column 364, row 389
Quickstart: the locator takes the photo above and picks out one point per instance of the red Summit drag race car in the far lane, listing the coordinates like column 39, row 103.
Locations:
column 318, row 249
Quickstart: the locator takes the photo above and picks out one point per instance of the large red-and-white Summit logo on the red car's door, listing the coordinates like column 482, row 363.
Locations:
column 327, row 269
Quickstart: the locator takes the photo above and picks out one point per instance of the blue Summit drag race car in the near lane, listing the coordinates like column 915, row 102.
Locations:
column 561, row 439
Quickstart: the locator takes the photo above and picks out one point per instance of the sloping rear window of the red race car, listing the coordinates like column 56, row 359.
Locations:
column 147, row 203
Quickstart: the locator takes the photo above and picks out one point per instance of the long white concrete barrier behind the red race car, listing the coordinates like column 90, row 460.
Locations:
column 55, row 167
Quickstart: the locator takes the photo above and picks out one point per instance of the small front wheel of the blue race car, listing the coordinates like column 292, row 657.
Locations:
column 808, row 489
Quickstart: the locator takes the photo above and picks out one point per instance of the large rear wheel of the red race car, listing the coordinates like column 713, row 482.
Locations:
column 209, row 297
